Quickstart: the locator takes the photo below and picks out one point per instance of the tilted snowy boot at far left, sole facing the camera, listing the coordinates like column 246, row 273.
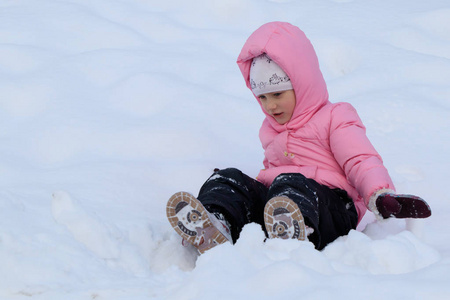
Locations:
column 195, row 224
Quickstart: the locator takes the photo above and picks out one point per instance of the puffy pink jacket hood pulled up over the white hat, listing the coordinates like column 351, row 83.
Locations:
column 289, row 47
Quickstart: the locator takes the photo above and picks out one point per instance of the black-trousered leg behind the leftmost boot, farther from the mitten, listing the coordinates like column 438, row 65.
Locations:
column 238, row 197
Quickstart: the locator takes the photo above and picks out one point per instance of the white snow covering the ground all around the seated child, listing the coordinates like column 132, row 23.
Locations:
column 108, row 107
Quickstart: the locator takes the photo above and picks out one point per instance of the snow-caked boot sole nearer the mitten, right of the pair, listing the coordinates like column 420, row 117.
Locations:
column 283, row 219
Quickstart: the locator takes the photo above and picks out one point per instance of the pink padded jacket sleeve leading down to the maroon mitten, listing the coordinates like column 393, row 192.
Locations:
column 355, row 154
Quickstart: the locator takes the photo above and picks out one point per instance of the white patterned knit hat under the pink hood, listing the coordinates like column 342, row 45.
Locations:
column 267, row 77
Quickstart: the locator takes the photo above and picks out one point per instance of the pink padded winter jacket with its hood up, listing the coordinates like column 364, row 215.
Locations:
column 323, row 141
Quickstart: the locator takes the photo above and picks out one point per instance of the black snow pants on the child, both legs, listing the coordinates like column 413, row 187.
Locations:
column 241, row 199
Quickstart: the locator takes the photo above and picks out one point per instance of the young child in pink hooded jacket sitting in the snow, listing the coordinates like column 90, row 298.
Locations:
column 321, row 172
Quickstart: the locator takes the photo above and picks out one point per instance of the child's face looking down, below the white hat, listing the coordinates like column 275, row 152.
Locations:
column 279, row 105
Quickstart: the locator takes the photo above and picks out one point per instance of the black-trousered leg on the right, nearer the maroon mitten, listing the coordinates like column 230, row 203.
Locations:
column 330, row 213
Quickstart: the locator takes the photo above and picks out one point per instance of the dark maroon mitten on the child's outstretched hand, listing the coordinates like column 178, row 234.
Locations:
column 402, row 206
